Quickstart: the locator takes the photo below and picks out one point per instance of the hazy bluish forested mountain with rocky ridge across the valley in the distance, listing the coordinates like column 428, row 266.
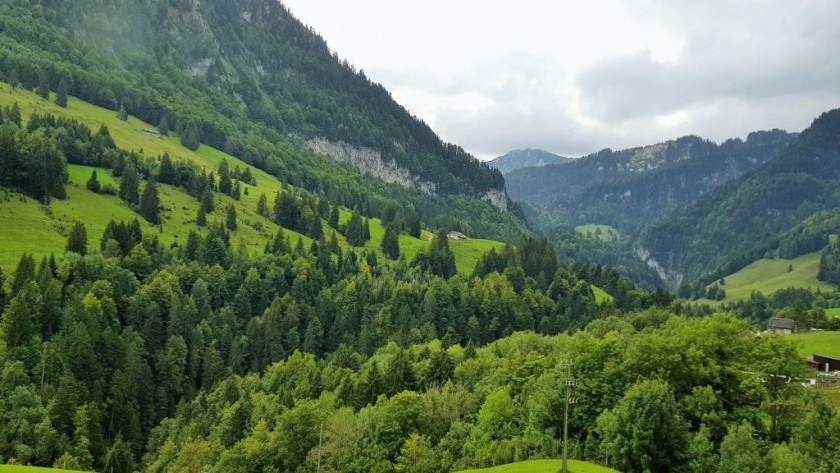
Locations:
column 632, row 187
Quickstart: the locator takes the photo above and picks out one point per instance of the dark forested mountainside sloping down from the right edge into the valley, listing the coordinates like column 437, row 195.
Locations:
column 758, row 213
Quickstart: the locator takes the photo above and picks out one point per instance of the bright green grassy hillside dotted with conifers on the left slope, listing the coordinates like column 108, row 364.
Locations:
column 34, row 228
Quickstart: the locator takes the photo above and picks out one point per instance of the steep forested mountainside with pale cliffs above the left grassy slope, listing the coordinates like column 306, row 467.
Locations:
column 248, row 78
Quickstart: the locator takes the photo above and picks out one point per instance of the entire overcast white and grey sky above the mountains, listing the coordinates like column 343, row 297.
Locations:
column 573, row 77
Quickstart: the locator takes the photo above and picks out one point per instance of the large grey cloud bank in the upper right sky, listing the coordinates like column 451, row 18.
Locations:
column 744, row 60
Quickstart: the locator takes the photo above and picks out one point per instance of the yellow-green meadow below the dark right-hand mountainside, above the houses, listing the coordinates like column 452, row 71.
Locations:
column 770, row 275
